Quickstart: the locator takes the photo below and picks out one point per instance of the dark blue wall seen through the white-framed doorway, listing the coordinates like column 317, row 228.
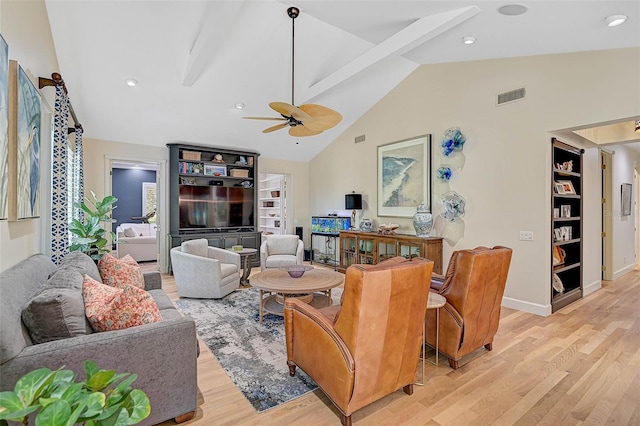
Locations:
column 126, row 186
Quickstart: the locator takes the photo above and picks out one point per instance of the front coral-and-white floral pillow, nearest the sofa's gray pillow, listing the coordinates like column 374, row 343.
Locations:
column 110, row 308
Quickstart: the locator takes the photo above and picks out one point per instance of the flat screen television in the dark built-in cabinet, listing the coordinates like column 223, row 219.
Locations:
column 215, row 207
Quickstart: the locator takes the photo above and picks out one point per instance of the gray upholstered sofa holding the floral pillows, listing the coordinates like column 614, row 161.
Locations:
column 162, row 354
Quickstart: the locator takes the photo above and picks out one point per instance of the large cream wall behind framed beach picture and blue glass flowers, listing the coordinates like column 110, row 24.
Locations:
column 505, row 176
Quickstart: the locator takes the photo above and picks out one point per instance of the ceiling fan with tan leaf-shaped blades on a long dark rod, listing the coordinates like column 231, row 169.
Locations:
column 307, row 119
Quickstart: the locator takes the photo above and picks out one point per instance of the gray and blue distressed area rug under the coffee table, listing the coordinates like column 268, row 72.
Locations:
column 253, row 355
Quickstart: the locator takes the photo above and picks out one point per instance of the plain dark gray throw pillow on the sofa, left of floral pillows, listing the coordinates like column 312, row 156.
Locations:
column 57, row 312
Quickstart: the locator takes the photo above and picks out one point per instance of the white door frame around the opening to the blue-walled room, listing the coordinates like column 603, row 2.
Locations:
column 162, row 212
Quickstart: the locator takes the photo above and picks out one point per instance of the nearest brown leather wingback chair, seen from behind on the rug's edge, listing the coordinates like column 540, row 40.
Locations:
column 369, row 346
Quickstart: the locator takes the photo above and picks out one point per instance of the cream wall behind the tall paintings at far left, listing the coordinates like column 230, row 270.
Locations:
column 25, row 28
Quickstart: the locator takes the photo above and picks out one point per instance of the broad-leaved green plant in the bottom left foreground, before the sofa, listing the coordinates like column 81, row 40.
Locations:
column 102, row 398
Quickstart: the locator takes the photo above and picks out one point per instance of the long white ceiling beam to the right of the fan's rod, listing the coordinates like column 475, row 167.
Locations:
column 403, row 41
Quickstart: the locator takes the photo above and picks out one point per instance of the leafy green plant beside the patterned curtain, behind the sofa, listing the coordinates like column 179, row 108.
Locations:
column 90, row 237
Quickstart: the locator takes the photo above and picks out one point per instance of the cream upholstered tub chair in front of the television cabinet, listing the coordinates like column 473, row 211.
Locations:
column 204, row 272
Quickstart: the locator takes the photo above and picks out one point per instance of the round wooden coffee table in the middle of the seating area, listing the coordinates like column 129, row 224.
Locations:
column 276, row 285
